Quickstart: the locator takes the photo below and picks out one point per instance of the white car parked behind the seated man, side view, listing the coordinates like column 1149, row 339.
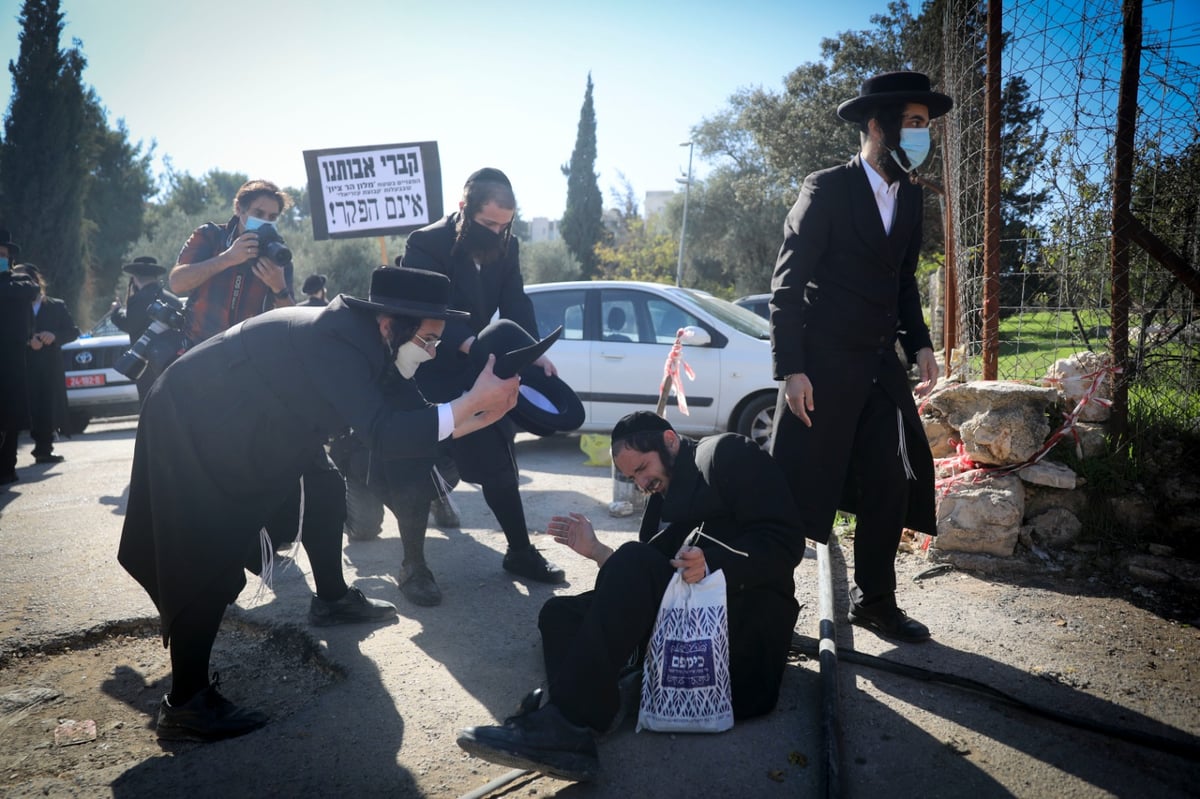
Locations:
column 617, row 337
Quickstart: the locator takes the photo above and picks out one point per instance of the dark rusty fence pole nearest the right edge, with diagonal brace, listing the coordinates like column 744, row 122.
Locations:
column 1123, row 197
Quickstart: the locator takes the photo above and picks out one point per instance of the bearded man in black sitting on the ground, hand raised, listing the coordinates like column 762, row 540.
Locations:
column 736, row 495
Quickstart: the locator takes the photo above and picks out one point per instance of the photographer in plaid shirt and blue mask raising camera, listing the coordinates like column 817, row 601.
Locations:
column 238, row 272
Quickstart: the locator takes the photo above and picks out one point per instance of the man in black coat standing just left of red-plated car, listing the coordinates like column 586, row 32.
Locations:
column 53, row 327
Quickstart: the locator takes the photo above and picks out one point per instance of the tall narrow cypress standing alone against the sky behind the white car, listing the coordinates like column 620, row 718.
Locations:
column 581, row 227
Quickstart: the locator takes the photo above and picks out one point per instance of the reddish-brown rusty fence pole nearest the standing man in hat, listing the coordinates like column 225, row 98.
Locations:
column 992, row 197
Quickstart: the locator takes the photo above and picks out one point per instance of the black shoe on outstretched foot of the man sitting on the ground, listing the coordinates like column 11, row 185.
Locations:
column 542, row 741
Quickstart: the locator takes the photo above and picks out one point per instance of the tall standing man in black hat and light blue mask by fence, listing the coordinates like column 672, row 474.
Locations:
column 844, row 291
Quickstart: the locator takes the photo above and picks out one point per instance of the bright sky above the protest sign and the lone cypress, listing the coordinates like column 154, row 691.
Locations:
column 249, row 87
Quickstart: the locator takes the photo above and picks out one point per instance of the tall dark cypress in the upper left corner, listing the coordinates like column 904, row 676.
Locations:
column 44, row 154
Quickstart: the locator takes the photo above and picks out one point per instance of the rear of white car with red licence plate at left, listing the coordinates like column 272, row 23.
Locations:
column 94, row 388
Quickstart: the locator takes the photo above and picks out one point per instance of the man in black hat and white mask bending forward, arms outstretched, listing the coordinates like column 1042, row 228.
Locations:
column 232, row 428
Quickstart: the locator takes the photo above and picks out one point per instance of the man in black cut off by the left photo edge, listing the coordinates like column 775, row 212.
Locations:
column 17, row 296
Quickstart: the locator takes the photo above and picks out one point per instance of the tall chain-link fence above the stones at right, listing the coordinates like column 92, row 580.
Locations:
column 1055, row 250
